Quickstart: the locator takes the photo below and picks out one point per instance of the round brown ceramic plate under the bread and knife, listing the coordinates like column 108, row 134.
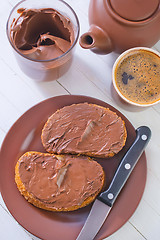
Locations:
column 25, row 136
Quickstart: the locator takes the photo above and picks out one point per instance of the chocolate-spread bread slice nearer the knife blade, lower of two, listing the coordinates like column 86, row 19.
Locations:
column 58, row 182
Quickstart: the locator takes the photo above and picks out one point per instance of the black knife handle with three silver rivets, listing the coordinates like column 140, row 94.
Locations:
column 128, row 162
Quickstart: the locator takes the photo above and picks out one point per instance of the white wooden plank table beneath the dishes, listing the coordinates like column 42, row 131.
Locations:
column 89, row 75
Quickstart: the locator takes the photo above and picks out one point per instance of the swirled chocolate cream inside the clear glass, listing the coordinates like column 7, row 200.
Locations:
column 42, row 34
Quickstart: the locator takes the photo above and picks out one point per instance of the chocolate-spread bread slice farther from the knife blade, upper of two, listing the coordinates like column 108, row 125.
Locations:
column 85, row 129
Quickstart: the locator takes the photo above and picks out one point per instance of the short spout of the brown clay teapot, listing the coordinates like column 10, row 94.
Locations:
column 96, row 40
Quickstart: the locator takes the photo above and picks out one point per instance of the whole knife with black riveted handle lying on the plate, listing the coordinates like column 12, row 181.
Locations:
column 104, row 202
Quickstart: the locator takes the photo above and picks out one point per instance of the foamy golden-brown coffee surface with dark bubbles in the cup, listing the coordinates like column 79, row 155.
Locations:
column 137, row 76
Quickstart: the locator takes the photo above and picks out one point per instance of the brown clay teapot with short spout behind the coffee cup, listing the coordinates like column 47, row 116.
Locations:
column 117, row 25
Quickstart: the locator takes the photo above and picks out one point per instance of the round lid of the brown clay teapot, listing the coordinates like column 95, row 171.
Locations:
column 134, row 10
